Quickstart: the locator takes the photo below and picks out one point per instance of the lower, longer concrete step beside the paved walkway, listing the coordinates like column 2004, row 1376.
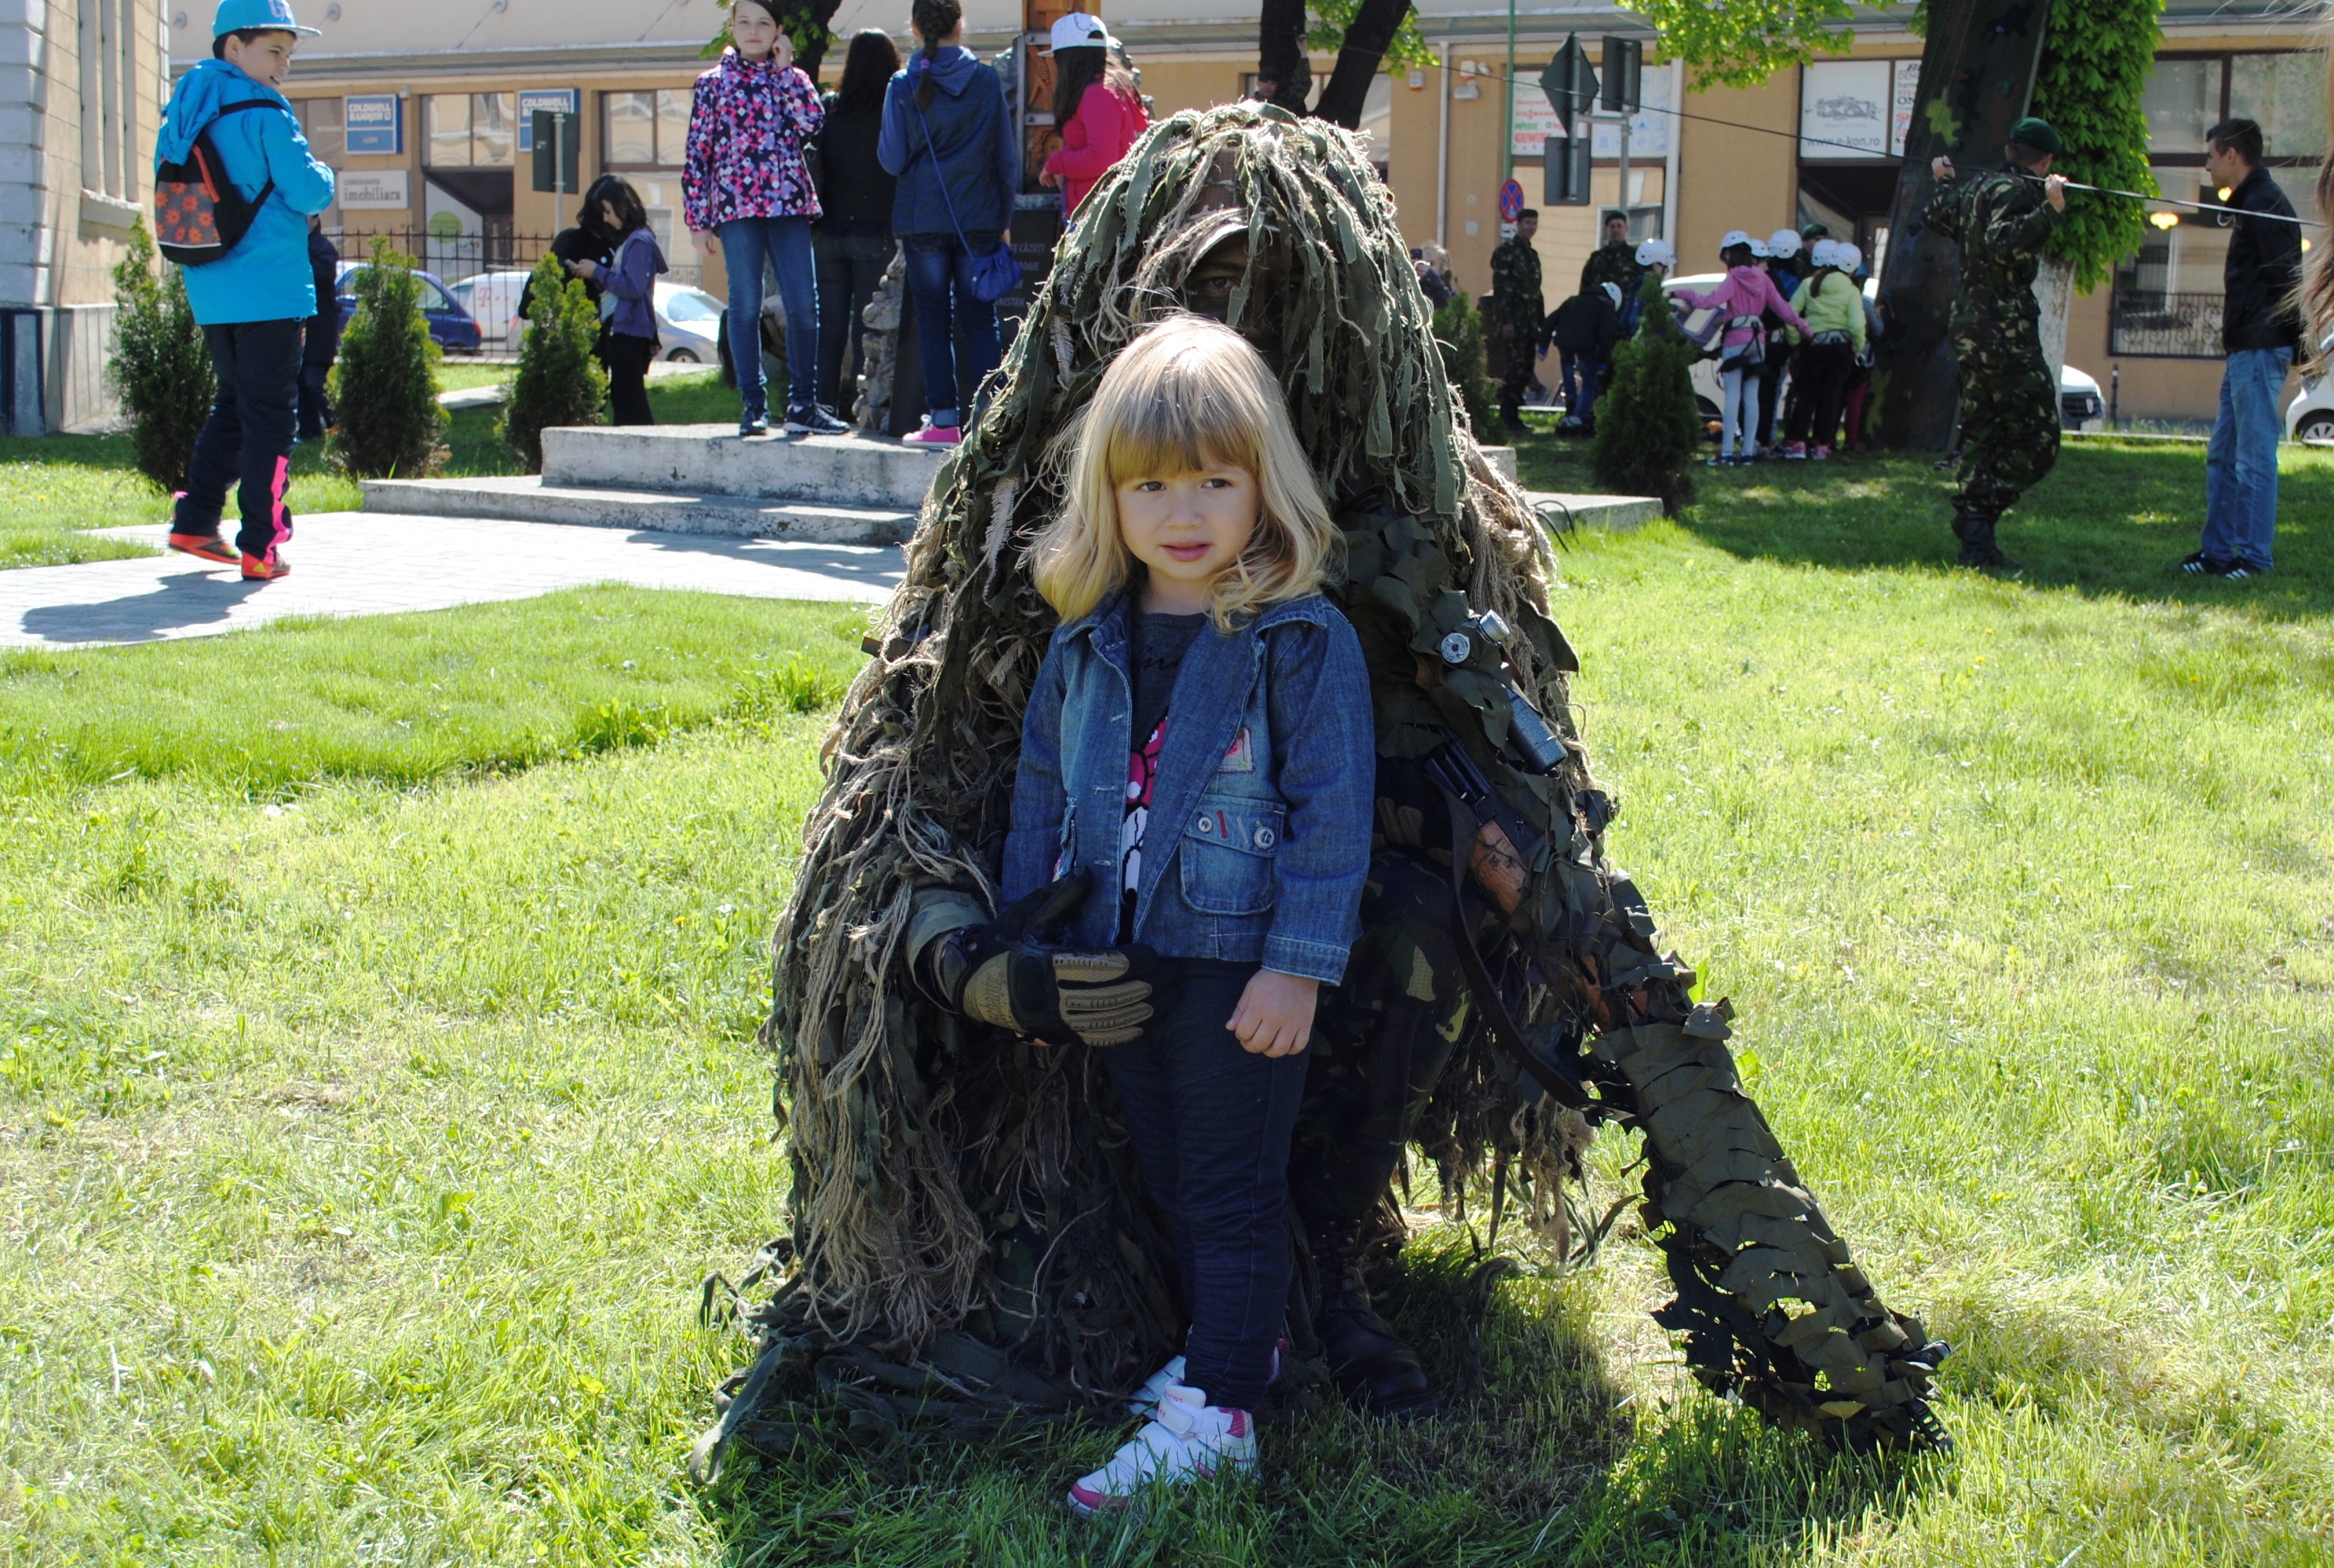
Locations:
column 536, row 500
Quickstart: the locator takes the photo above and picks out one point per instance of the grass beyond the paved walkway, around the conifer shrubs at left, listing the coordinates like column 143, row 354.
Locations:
column 62, row 493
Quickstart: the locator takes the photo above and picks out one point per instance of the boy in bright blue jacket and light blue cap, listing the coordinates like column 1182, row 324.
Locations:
column 256, row 300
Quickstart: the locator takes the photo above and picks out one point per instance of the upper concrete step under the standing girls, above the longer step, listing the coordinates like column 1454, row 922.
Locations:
column 713, row 461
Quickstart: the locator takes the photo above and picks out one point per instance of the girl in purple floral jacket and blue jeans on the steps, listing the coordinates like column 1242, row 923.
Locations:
column 746, row 181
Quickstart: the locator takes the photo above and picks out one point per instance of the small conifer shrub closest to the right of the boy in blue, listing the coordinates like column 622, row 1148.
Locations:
column 386, row 379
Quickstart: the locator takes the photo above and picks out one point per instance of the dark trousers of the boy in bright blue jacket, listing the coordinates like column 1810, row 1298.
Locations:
column 249, row 437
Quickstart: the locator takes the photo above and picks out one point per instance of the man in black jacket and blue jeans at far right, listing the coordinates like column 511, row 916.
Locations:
column 2260, row 328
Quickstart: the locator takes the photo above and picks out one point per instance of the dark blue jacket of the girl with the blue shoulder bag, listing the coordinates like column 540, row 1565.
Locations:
column 970, row 148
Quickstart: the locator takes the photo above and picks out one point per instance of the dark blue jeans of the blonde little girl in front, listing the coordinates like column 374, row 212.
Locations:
column 1213, row 1126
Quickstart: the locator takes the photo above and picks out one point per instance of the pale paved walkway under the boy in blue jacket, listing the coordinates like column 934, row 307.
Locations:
column 351, row 563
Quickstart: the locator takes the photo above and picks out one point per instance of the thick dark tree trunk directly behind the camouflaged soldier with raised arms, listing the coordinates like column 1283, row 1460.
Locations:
column 1978, row 73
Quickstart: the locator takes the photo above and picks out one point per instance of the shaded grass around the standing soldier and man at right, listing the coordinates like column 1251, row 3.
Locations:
column 2111, row 521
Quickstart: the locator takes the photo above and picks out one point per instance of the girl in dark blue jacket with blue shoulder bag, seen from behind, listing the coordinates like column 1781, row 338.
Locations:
column 949, row 141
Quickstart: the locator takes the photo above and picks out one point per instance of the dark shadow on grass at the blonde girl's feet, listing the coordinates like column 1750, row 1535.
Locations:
column 1537, row 1457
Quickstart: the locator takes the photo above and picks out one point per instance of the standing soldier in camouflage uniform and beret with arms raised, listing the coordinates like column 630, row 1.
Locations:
column 2008, row 398
